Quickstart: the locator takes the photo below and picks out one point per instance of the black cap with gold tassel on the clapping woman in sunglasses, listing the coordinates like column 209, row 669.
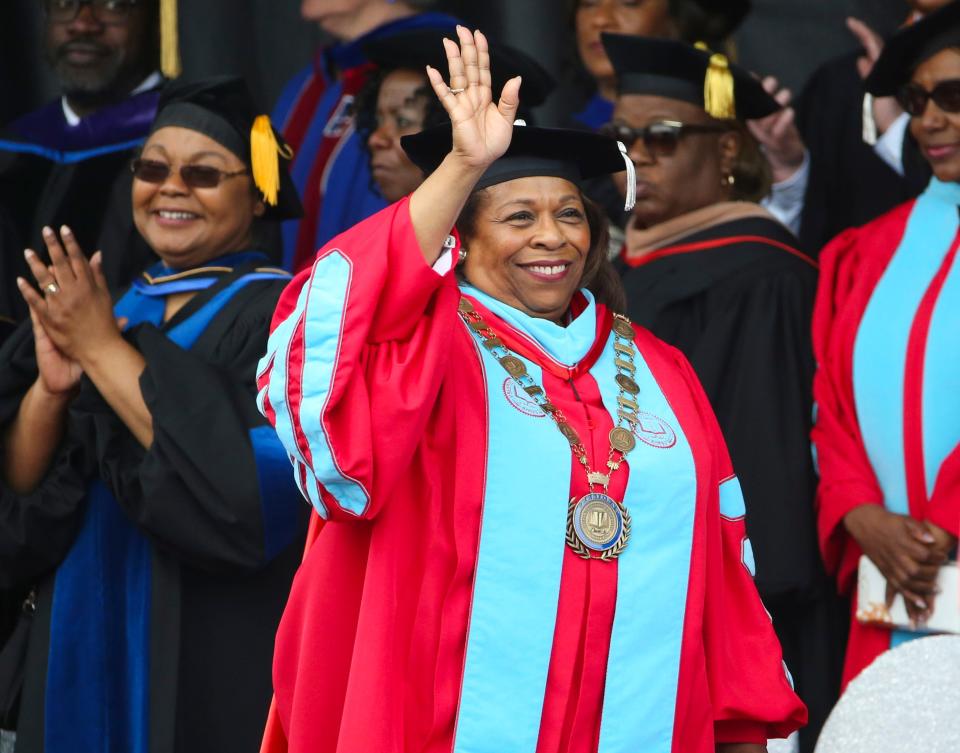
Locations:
column 222, row 109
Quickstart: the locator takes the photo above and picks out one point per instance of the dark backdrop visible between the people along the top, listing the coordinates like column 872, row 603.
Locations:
column 267, row 41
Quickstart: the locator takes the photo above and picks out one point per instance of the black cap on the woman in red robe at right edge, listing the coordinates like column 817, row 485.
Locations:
column 912, row 45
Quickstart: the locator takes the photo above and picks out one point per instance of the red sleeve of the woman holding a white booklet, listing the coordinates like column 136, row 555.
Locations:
column 846, row 476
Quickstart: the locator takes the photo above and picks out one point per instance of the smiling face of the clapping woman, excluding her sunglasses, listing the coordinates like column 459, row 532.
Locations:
column 188, row 226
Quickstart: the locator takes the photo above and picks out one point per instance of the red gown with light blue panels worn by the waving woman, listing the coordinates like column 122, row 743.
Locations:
column 395, row 423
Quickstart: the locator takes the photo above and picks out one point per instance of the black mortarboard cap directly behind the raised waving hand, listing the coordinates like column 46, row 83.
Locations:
column 417, row 48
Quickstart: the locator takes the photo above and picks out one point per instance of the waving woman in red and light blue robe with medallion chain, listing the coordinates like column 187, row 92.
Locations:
column 534, row 538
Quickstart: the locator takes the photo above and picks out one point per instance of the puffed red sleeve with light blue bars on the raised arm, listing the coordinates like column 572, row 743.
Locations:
column 351, row 370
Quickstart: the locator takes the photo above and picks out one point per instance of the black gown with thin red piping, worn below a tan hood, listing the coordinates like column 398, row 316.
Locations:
column 739, row 309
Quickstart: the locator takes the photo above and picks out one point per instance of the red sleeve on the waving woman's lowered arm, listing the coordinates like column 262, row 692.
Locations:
column 750, row 689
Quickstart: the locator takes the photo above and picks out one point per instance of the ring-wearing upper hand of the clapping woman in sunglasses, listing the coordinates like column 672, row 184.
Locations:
column 75, row 308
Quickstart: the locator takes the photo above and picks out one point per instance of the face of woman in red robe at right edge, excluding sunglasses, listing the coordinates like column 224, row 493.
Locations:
column 938, row 132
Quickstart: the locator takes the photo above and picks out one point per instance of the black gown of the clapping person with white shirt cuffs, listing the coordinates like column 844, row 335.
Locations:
column 849, row 184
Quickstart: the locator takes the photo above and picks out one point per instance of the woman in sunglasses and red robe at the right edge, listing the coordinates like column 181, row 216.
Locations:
column 887, row 432
